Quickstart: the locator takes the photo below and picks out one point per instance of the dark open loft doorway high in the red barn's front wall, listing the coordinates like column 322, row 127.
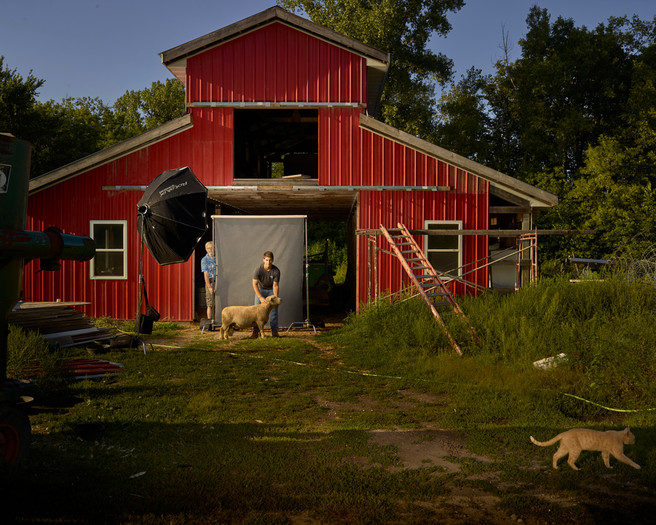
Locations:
column 276, row 143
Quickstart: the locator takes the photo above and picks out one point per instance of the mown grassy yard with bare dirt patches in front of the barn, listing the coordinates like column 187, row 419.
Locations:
column 356, row 425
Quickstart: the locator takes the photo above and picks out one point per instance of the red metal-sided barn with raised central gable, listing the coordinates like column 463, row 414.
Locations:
column 280, row 120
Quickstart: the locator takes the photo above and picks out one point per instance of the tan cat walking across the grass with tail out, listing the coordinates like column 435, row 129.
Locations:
column 574, row 441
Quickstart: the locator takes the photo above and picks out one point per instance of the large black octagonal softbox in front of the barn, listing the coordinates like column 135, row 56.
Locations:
column 171, row 215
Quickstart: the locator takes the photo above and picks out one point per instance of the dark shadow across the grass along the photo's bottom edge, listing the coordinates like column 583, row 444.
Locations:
column 143, row 472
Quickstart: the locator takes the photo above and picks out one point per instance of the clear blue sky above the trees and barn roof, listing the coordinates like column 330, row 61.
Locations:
column 103, row 48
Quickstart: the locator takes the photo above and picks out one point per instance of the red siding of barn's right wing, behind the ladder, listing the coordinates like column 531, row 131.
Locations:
column 350, row 155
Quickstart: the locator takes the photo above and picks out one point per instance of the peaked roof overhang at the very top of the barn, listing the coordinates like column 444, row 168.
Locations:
column 175, row 59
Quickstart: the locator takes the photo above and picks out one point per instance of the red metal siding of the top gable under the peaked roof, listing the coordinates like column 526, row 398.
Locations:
column 276, row 63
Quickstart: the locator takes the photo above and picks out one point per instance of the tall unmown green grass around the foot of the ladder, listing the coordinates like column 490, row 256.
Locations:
column 605, row 328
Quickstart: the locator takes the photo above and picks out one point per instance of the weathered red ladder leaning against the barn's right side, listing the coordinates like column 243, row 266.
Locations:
column 432, row 289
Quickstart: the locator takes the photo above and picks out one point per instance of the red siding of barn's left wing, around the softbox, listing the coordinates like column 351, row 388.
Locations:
column 206, row 149
